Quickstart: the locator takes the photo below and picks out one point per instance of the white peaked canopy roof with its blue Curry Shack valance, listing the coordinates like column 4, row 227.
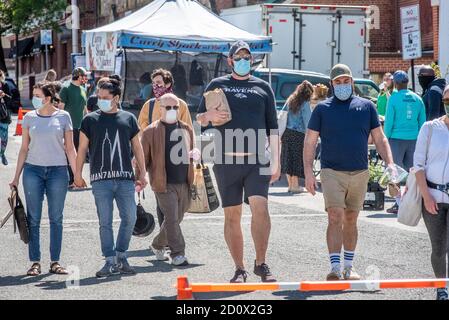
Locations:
column 180, row 25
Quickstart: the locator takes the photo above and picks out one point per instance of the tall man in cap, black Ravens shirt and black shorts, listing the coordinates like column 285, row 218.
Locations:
column 241, row 163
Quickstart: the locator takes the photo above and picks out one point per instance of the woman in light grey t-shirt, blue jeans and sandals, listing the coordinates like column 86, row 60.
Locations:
column 47, row 143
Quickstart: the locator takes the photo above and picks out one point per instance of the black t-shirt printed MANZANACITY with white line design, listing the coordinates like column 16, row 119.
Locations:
column 110, row 151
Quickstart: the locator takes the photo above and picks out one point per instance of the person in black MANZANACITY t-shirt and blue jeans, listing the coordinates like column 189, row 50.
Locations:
column 111, row 135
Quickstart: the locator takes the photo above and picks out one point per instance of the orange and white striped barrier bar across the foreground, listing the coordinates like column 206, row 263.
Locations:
column 186, row 289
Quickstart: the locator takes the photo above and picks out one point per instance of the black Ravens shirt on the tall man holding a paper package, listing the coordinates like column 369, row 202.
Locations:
column 254, row 117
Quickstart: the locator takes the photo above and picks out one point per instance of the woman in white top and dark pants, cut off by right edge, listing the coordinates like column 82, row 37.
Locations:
column 432, row 162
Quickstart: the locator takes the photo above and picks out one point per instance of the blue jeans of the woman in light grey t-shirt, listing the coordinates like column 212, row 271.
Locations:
column 51, row 181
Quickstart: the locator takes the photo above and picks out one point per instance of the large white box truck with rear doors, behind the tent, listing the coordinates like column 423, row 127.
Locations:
column 310, row 37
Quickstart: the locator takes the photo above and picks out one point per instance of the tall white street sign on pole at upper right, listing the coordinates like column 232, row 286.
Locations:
column 411, row 33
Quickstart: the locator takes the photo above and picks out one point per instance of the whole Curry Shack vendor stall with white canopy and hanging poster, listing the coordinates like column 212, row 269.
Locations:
column 179, row 35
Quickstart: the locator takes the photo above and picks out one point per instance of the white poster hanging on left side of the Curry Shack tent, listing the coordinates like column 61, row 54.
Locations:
column 101, row 48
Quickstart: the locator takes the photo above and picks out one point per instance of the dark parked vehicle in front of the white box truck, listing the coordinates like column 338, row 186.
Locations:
column 284, row 82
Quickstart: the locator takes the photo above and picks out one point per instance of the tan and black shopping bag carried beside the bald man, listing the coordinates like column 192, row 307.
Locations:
column 204, row 198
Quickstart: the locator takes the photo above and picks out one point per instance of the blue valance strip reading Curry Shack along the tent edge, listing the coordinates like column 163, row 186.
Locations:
column 144, row 42
